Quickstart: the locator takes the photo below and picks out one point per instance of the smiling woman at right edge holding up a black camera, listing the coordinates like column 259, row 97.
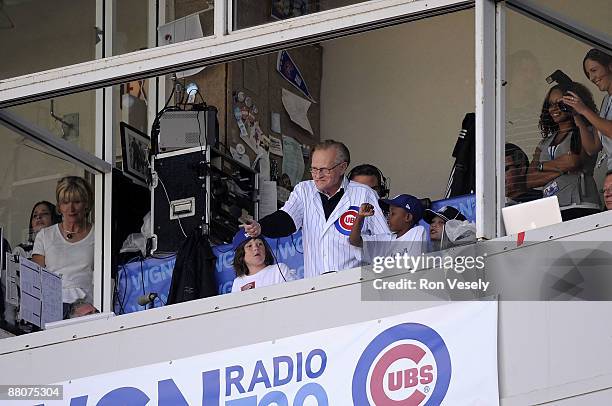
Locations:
column 597, row 66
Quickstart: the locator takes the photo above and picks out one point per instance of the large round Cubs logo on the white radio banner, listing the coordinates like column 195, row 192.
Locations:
column 407, row 364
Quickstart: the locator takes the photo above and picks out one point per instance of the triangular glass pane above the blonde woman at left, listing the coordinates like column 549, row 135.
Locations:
column 70, row 117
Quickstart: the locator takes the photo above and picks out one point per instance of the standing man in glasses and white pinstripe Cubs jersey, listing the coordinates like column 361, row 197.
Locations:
column 325, row 208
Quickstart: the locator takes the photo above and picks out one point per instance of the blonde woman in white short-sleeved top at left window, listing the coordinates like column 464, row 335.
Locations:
column 67, row 248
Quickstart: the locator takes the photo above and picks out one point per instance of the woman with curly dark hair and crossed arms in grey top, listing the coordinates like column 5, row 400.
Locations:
column 560, row 164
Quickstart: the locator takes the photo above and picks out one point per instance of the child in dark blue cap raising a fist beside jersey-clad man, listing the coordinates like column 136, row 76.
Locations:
column 405, row 211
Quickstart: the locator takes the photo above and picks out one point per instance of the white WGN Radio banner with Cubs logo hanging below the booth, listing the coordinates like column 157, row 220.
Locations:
column 445, row 354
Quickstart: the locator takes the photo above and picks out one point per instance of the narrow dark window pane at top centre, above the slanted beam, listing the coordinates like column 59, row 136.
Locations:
column 248, row 13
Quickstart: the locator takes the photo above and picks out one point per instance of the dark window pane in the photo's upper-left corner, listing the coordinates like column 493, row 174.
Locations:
column 40, row 35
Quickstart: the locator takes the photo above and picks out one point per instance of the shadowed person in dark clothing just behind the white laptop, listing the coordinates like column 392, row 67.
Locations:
column 517, row 165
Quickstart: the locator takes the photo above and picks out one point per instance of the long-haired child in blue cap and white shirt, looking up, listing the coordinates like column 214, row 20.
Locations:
column 255, row 266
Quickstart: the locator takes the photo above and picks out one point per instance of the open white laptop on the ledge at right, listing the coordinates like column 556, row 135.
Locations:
column 531, row 215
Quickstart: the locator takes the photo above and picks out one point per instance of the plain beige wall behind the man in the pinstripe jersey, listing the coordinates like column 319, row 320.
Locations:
column 397, row 97
